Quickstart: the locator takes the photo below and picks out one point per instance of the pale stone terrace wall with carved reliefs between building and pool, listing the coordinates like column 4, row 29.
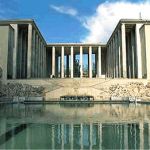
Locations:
column 101, row 89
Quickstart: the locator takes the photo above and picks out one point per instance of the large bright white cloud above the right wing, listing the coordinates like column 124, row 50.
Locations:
column 103, row 22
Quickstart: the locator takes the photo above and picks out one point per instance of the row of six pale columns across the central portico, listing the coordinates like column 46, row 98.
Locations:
column 72, row 52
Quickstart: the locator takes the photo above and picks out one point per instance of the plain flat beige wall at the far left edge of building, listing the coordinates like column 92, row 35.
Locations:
column 4, row 36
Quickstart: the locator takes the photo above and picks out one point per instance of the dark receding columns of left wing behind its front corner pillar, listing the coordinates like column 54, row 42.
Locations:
column 37, row 65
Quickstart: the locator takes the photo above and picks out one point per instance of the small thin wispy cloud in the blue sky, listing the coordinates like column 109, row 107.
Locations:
column 65, row 10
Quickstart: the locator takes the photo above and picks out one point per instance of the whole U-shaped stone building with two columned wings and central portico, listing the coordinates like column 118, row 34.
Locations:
column 24, row 53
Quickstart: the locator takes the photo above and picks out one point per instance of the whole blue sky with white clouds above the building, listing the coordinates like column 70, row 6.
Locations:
column 74, row 20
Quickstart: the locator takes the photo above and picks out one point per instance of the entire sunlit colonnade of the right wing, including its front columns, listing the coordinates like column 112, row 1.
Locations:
column 124, row 52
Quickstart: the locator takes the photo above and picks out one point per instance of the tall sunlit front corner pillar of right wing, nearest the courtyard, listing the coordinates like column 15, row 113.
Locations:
column 123, row 42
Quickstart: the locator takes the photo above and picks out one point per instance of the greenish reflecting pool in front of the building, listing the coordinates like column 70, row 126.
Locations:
column 100, row 126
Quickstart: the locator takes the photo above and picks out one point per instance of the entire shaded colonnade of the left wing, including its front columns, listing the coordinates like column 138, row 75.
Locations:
column 29, row 53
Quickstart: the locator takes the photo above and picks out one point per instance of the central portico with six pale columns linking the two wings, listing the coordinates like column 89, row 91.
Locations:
column 76, row 60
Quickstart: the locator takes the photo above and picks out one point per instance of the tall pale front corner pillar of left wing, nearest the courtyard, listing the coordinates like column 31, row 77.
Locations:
column 29, row 51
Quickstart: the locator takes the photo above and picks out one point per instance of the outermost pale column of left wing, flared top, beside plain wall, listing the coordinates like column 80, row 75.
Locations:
column 15, row 26
